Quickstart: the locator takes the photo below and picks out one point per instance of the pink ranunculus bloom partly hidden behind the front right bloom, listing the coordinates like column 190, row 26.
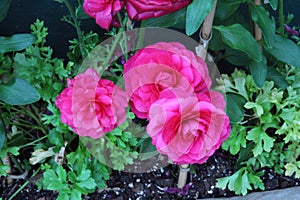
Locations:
column 163, row 66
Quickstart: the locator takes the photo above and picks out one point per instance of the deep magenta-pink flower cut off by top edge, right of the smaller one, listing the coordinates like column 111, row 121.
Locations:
column 145, row 9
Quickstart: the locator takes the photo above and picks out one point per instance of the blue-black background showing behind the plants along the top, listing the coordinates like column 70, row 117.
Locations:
column 22, row 13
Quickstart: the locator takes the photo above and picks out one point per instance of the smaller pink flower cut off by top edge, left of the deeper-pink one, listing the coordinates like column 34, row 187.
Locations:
column 104, row 11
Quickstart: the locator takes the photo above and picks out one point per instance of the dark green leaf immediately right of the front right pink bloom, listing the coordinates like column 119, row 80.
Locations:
column 234, row 107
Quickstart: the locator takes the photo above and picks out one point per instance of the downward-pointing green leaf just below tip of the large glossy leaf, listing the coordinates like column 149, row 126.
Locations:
column 259, row 71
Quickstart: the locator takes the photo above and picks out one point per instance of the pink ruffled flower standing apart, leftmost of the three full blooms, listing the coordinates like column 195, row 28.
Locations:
column 92, row 106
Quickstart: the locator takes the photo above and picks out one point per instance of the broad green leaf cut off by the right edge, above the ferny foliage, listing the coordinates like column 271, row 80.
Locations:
column 286, row 51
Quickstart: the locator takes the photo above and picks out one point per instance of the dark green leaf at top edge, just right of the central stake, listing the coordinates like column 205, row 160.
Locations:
column 225, row 8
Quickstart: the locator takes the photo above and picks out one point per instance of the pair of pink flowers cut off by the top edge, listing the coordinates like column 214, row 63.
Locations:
column 105, row 11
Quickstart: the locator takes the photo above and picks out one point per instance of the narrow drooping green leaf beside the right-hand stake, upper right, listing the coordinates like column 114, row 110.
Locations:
column 262, row 17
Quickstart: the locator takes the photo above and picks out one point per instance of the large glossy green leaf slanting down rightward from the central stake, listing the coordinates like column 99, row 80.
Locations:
column 239, row 38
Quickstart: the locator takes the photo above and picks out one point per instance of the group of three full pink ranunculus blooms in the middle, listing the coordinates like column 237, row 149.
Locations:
column 166, row 84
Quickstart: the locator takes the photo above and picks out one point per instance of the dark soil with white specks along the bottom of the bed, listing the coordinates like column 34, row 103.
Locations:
column 153, row 185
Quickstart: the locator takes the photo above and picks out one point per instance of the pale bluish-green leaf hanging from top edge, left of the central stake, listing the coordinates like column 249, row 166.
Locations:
column 196, row 13
